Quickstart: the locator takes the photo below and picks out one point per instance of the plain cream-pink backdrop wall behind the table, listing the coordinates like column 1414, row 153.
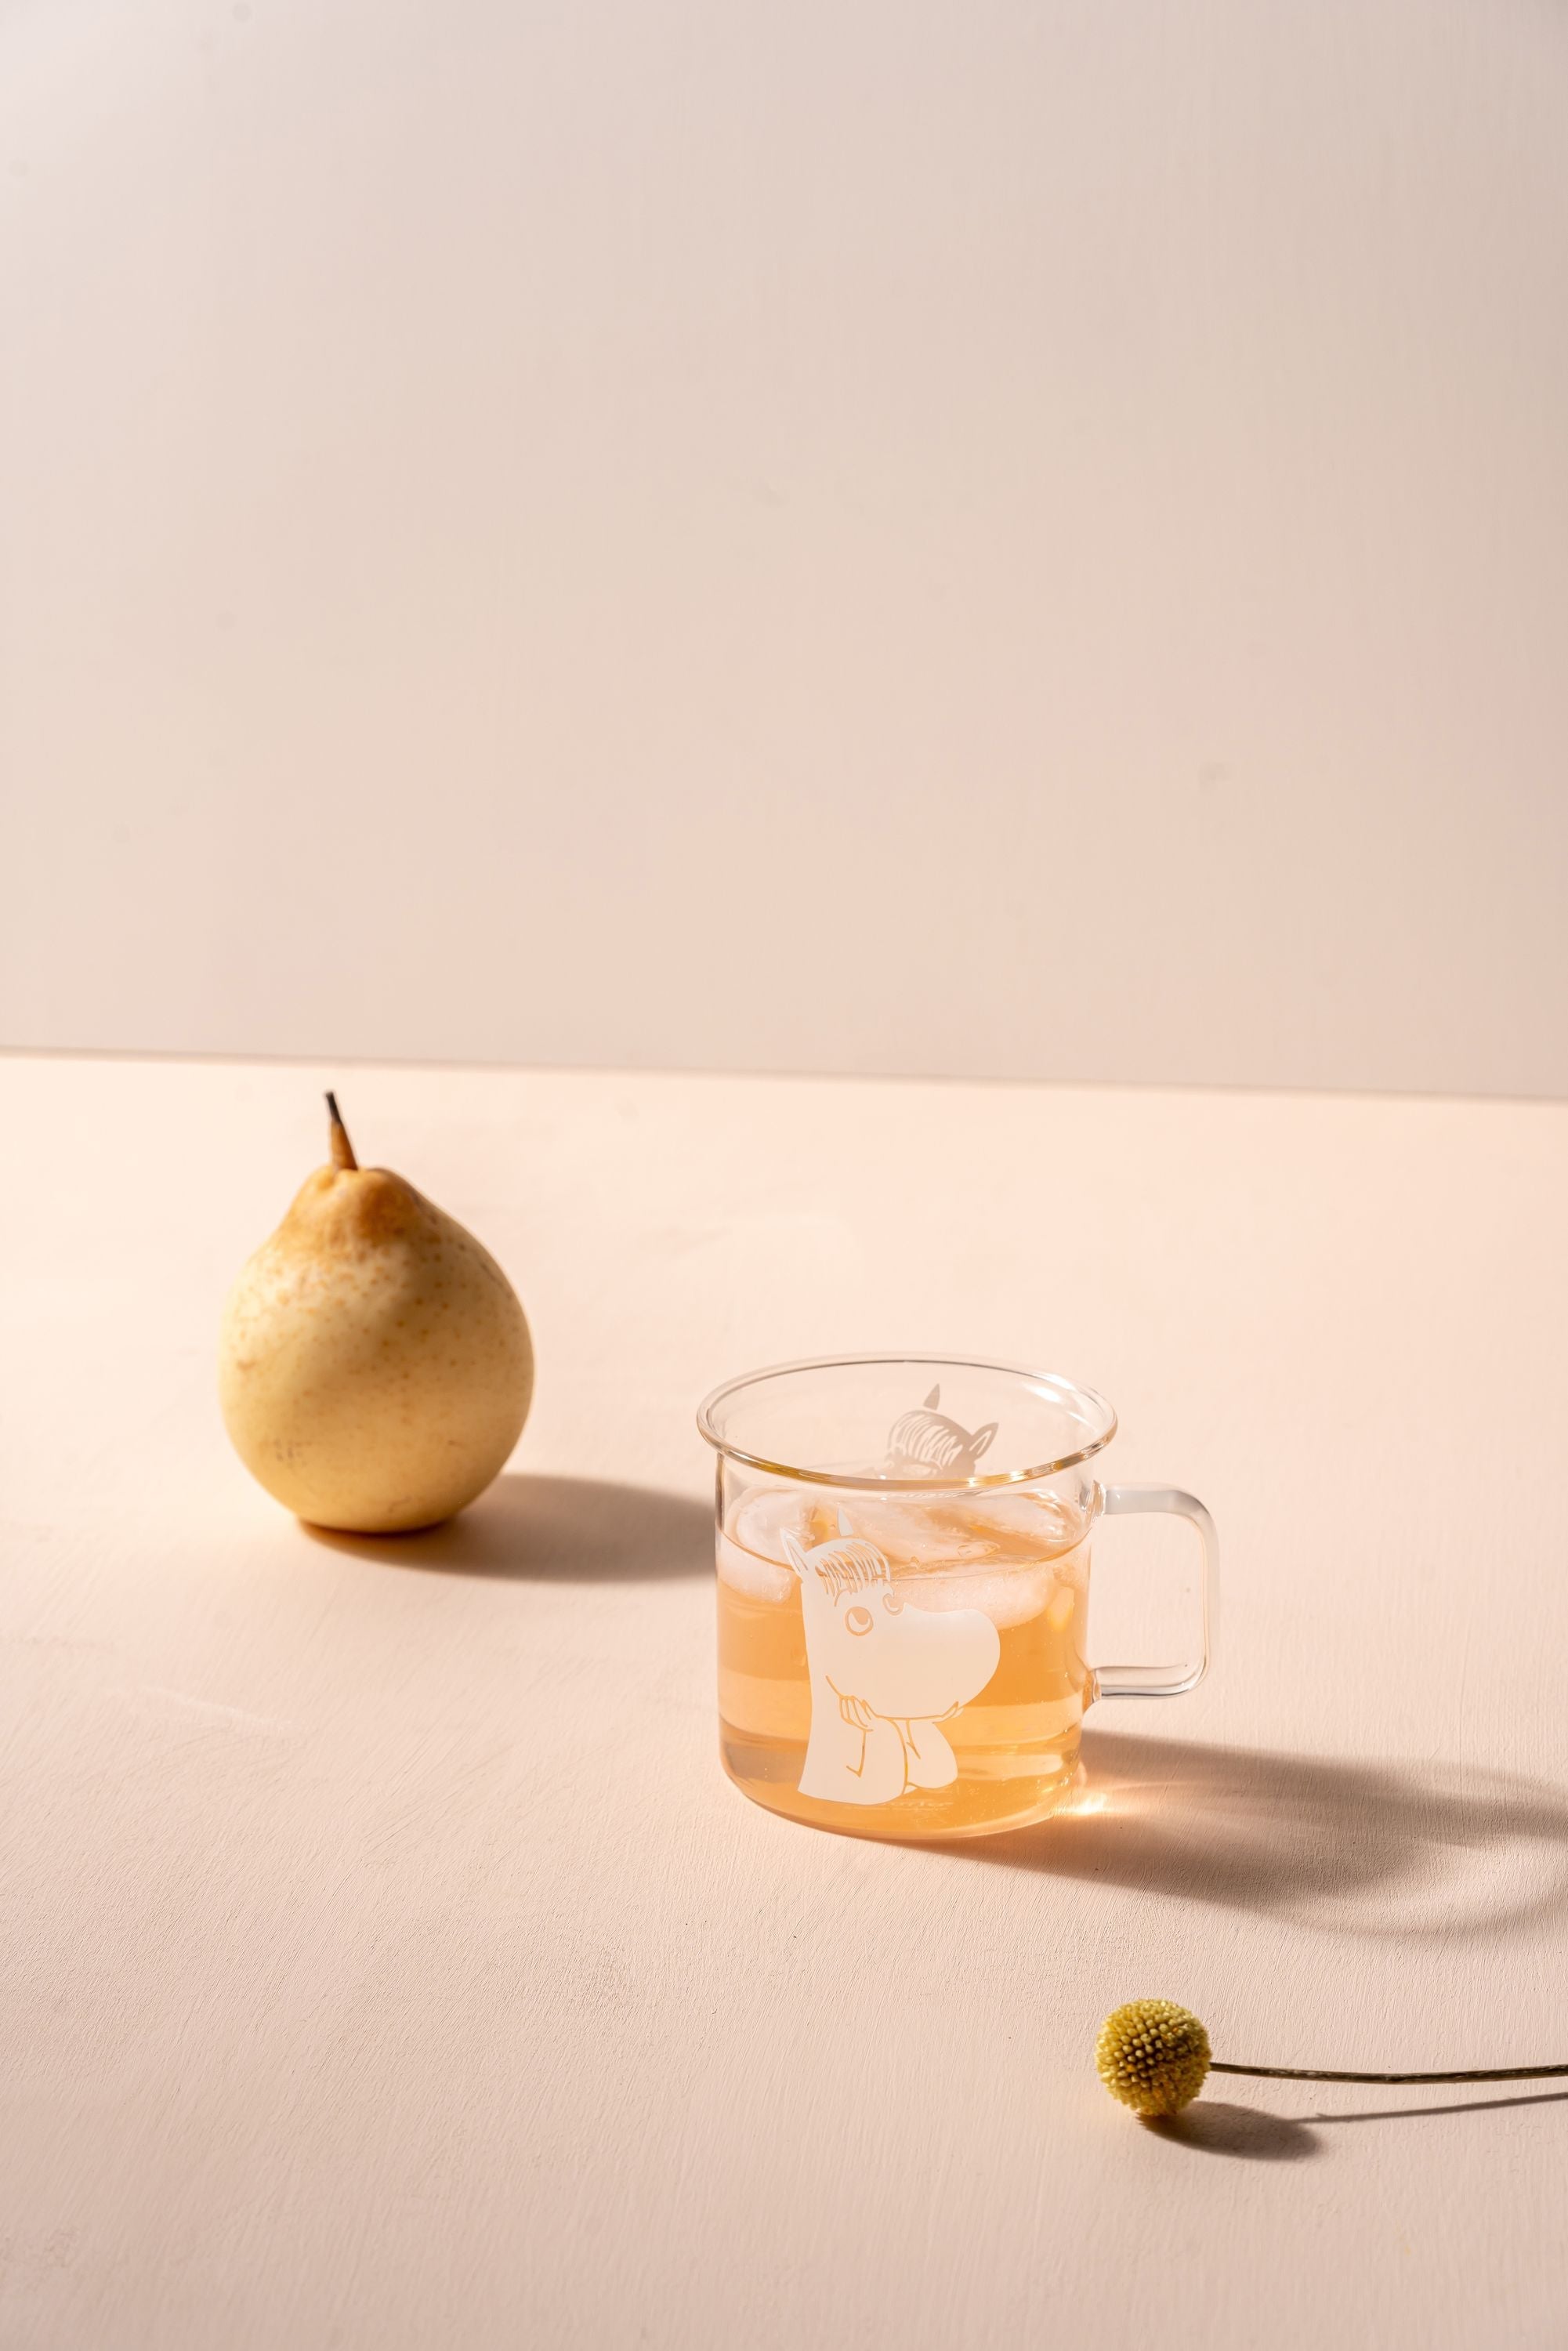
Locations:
column 850, row 537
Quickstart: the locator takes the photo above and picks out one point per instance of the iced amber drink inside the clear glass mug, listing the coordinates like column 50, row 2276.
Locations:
column 1019, row 1560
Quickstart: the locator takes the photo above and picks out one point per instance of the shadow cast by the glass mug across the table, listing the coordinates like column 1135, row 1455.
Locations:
column 1365, row 1849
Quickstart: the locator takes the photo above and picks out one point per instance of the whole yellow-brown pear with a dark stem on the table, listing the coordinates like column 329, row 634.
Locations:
column 375, row 1365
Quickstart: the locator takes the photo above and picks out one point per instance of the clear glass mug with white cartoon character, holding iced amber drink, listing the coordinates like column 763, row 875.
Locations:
column 904, row 1590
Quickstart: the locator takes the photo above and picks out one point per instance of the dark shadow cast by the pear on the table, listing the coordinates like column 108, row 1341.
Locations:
column 554, row 1529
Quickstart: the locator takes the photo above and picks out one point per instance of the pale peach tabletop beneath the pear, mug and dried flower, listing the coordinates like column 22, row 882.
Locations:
column 387, row 1960
